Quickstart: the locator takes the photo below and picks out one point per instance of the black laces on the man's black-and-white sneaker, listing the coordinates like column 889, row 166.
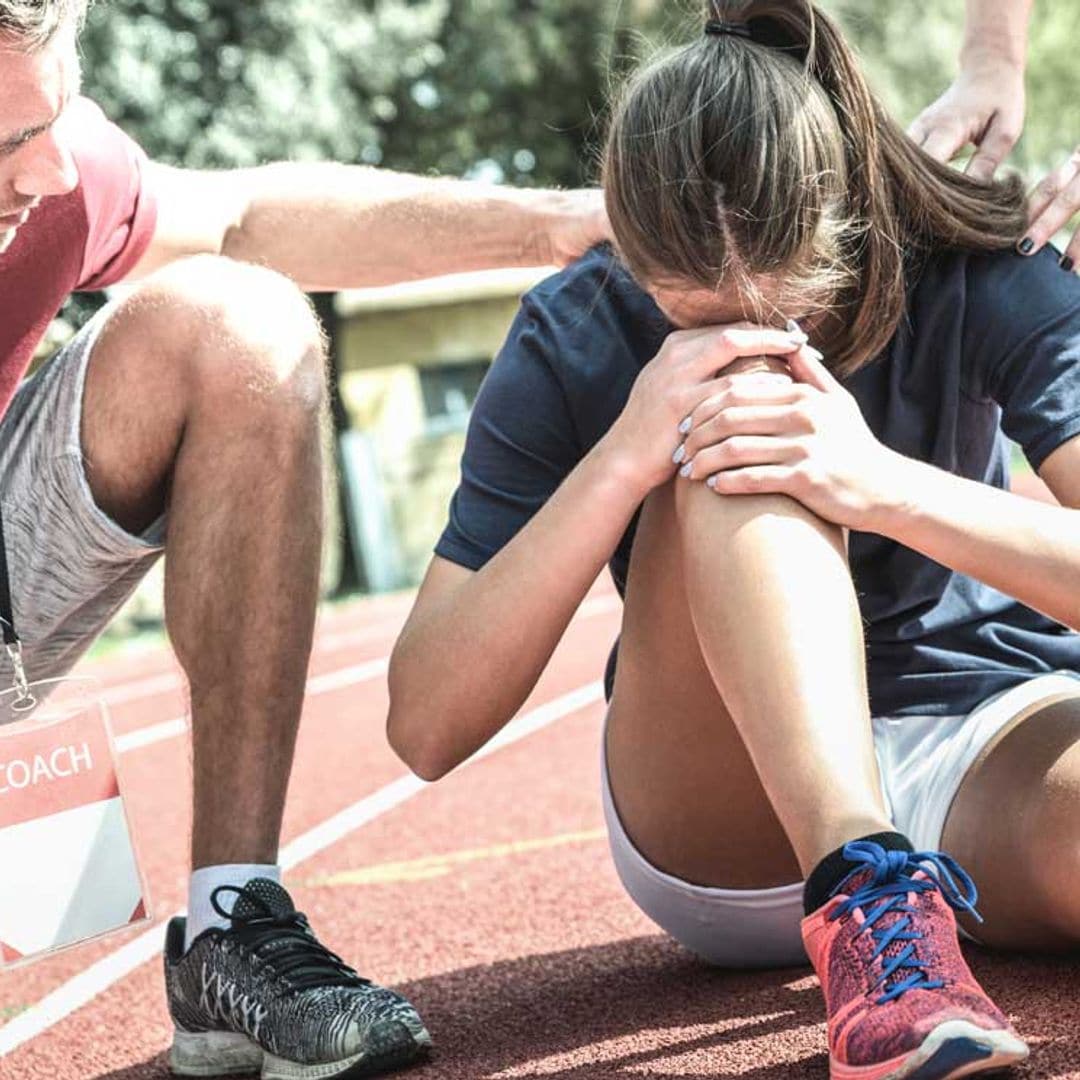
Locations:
column 296, row 954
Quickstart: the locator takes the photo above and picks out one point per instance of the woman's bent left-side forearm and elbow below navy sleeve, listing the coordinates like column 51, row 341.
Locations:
column 469, row 658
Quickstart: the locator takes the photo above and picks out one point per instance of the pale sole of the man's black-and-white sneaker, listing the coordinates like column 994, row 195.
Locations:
column 225, row 1054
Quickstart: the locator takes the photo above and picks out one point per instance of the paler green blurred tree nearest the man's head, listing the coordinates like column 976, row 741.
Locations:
column 220, row 84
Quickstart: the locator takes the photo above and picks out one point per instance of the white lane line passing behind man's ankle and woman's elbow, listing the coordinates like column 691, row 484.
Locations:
column 83, row 989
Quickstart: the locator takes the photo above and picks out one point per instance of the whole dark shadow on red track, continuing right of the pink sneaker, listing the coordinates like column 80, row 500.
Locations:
column 645, row 1008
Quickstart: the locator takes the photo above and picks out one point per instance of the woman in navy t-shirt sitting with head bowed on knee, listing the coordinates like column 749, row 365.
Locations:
column 845, row 645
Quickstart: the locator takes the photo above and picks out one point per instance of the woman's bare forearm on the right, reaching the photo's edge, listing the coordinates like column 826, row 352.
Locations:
column 1025, row 549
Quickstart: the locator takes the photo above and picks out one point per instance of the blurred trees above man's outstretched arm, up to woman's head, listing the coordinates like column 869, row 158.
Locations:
column 504, row 89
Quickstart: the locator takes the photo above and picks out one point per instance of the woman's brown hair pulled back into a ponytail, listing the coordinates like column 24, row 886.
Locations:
column 760, row 151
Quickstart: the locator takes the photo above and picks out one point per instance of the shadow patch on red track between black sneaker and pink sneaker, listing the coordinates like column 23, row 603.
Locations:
column 641, row 1007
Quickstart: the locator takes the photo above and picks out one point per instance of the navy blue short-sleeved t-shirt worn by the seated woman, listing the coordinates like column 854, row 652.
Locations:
column 990, row 344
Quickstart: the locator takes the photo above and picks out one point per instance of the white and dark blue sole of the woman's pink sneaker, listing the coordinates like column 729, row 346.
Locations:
column 952, row 1050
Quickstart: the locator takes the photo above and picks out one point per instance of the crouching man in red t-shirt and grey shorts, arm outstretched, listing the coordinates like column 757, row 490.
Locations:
column 186, row 421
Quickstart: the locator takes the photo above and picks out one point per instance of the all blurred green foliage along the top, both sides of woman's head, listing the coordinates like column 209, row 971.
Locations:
column 509, row 90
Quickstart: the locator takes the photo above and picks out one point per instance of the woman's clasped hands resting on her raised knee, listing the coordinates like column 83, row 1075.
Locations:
column 757, row 412
